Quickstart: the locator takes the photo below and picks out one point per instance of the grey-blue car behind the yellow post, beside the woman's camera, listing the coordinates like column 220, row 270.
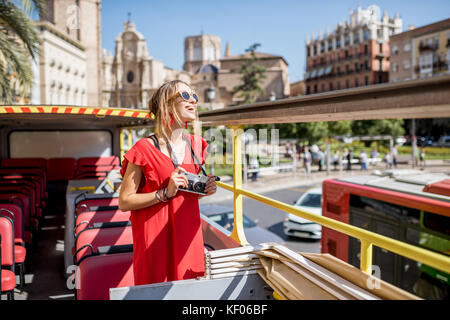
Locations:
column 224, row 216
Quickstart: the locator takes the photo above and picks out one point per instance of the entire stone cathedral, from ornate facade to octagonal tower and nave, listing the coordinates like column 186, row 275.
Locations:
column 131, row 75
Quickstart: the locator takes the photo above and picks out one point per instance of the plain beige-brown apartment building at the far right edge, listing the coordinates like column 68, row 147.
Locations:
column 421, row 52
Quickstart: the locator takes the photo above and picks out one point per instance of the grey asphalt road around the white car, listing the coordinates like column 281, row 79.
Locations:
column 272, row 219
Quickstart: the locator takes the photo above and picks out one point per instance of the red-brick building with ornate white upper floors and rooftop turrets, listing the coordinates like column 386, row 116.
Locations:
column 355, row 54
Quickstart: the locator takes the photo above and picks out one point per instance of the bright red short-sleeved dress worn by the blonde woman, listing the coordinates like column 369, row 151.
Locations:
column 167, row 237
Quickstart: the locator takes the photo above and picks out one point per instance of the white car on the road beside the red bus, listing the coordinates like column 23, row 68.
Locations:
column 296, row 226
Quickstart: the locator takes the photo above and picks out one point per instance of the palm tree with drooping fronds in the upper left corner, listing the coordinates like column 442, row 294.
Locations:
column 19, row 41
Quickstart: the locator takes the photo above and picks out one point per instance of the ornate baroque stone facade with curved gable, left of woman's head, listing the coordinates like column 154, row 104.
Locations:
column 131, row 75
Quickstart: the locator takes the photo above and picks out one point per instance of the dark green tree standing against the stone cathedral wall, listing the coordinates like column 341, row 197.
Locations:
column 252, row 75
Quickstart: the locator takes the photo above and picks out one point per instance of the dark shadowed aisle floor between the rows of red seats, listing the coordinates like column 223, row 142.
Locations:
column 45, row 279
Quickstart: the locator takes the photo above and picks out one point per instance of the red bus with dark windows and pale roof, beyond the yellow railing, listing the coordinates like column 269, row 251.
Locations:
column 410, row 206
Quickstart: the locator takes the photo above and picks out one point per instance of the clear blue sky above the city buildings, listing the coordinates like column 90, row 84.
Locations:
column 280, row 26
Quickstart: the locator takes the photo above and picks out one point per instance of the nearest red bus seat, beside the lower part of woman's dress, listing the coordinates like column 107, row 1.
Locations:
column 97, row 274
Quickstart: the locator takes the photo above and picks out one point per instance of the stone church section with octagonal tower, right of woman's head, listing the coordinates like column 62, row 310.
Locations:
column 214, row 77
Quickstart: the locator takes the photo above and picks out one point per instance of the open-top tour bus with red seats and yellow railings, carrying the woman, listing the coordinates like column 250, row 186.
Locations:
column 61, row 164
